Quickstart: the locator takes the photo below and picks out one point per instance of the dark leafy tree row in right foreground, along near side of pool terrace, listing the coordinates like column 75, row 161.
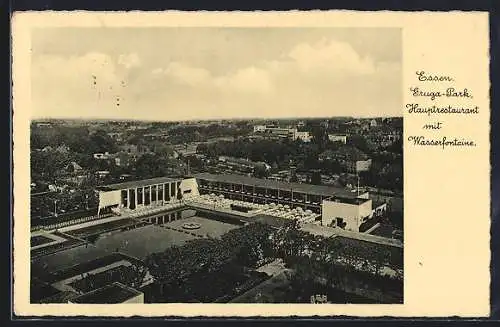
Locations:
column 253, row 243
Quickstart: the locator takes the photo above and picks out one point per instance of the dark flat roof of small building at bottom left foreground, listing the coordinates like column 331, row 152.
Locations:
column 109, row 294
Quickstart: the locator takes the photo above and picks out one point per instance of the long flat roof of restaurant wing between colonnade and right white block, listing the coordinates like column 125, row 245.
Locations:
column 323, row 190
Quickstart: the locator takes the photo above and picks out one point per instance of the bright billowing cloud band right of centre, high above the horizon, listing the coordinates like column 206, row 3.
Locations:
column 306, row 63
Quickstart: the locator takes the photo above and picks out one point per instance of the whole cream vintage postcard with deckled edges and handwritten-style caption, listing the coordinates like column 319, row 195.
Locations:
column 251, row 164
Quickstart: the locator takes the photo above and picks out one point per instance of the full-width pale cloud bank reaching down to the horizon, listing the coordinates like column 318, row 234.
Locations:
column 309, row 79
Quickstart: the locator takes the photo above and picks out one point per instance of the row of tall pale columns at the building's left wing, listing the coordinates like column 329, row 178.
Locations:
column 158, row 193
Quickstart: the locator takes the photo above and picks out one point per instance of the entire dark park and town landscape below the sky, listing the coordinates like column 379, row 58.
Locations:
column 295, row 210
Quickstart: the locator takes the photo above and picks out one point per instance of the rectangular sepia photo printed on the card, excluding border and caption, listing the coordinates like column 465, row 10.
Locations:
column 216, row 165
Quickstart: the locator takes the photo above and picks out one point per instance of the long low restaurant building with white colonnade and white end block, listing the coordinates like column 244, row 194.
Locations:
column 337, row 206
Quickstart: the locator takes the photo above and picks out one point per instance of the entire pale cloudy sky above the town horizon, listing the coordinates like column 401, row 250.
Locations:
column 203, row 73
